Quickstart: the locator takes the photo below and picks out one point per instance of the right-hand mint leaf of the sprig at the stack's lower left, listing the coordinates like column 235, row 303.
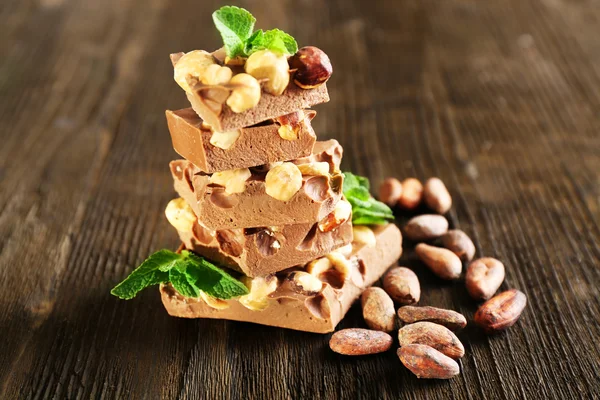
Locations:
column 211, row 279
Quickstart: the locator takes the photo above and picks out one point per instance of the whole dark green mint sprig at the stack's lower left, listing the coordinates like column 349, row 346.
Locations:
column 188, row 273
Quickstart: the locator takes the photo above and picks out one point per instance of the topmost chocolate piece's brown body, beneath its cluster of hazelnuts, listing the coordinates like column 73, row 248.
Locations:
column 269, row 106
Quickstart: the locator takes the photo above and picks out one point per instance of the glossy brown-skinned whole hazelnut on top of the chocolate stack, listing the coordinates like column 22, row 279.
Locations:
column 312, row 66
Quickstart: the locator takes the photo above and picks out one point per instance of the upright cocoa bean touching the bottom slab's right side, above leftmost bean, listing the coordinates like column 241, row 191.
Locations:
column 378, row 309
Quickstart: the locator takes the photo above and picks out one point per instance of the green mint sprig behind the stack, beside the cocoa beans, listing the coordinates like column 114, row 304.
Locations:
column 365, row 209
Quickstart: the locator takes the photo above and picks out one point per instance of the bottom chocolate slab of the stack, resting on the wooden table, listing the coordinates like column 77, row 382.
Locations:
column 302, row 308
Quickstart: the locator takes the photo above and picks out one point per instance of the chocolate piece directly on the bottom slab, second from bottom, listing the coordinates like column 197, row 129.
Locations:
column 266, row 250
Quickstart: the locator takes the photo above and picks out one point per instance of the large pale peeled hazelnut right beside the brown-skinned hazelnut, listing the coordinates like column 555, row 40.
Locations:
column 264, row 64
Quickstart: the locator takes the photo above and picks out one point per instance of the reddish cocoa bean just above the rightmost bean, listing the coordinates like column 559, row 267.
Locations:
column 484, row 277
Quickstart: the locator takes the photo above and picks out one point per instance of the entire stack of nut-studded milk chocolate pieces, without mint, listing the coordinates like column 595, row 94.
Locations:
column 259, row 195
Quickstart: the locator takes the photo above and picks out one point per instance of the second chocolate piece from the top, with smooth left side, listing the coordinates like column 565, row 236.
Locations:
column 254, row 146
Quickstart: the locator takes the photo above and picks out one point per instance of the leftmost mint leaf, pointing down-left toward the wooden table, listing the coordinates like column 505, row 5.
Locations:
column 152, row 272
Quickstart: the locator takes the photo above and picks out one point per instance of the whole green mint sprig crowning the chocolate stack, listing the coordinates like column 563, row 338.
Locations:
column 236, row 26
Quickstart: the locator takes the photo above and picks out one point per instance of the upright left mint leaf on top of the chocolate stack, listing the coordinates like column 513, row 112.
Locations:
column 235, row 26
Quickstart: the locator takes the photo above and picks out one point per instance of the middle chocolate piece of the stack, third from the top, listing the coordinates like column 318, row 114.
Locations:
column 217, row 210
